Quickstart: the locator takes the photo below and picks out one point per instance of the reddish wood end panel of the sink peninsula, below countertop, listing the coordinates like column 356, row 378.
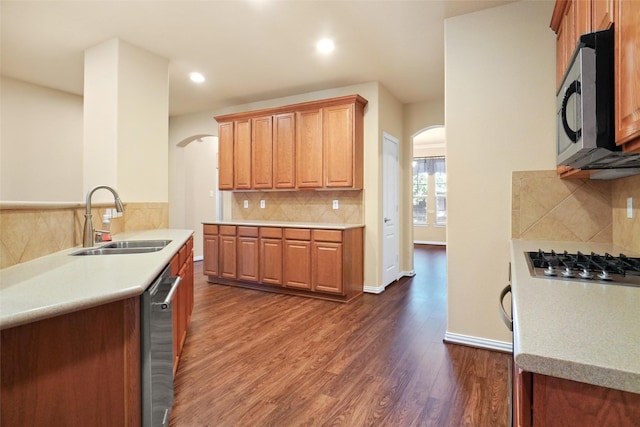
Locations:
column 76, row 369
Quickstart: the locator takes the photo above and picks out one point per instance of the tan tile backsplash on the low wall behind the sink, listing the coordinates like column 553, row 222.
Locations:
column 31, row 232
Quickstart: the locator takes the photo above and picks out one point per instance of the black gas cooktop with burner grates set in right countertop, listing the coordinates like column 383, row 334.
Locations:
column 603, row 269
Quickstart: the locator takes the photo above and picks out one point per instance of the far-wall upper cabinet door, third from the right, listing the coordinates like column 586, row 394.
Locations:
column 284, row 150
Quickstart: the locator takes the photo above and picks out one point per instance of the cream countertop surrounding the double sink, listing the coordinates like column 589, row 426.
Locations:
column 60, row 283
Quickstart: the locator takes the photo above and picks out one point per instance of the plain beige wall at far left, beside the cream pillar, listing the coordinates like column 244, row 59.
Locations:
column 40, row 143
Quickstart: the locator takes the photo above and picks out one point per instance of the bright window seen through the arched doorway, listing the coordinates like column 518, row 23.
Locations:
column 429, row 190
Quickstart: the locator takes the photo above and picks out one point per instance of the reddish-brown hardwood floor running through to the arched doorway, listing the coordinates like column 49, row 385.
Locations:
column 261, row 359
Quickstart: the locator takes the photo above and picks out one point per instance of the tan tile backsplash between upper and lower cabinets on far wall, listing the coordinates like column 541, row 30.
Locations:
column 299, row 206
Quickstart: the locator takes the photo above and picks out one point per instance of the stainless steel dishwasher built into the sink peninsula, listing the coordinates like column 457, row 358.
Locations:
column 156, row 334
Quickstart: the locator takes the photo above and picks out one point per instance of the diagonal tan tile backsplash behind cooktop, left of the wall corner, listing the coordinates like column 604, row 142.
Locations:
column 545, row 207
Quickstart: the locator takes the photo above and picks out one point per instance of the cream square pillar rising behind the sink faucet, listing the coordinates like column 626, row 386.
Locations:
column 126, row 121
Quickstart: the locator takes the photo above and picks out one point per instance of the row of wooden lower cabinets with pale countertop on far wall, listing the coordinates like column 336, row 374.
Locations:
column 307, row 259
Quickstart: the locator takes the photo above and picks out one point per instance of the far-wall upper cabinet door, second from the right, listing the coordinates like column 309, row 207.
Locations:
column 309, row 169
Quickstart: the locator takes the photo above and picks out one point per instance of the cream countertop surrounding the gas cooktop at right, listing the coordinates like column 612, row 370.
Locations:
column 586, row 332
